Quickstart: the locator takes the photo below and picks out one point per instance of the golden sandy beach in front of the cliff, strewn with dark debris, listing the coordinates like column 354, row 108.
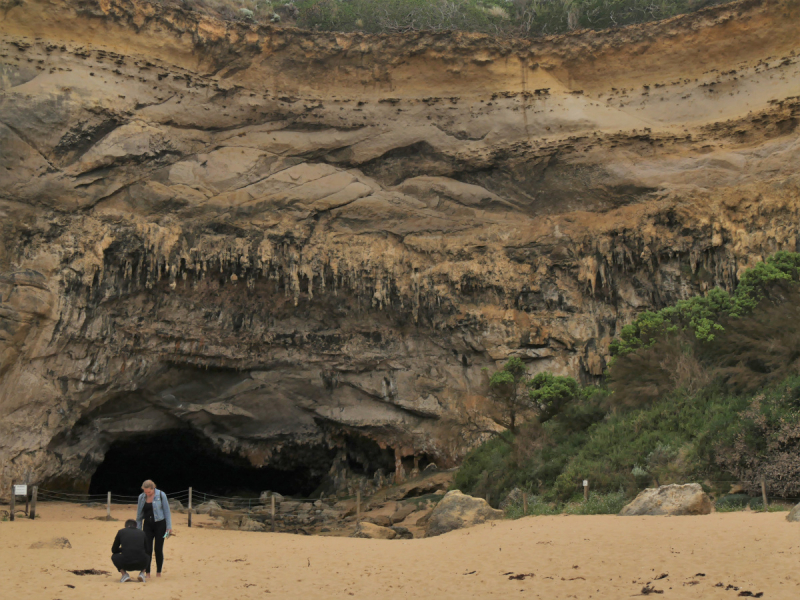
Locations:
column 569, row 556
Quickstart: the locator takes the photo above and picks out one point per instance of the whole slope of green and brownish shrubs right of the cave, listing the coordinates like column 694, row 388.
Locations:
column 706, row 389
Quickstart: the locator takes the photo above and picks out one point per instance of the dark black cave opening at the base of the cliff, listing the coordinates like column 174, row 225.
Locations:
column 177, row 459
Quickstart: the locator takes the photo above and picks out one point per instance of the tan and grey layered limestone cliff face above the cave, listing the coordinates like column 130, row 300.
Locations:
column 279, row 237
